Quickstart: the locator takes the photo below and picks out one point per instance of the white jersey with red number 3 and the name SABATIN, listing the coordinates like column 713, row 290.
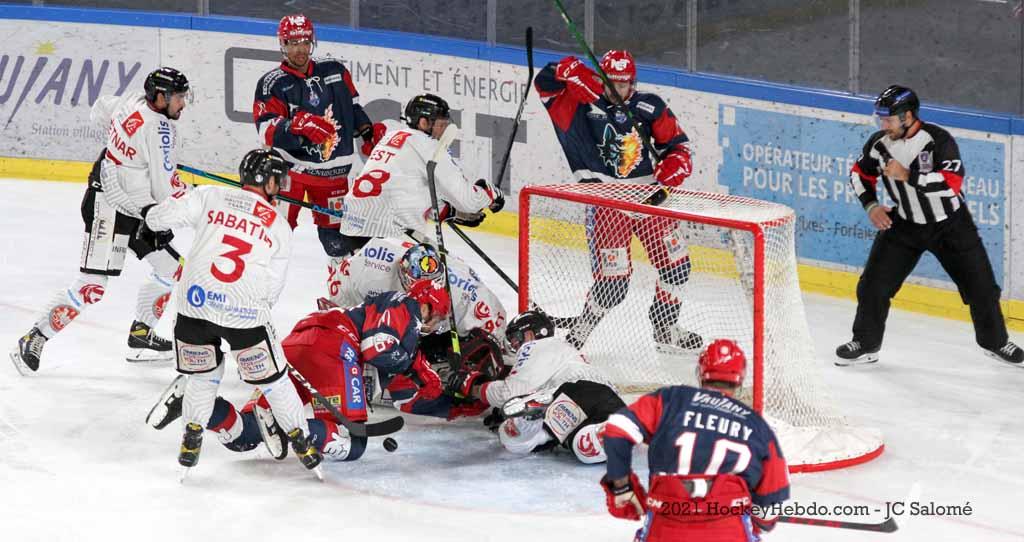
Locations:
column 236, row 269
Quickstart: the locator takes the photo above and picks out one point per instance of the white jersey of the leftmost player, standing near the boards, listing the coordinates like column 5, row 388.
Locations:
column 140, row 168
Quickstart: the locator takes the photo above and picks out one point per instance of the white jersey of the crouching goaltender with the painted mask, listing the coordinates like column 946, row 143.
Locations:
column 375, row 269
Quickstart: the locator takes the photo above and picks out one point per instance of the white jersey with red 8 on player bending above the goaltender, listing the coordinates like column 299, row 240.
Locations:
column 392, row 193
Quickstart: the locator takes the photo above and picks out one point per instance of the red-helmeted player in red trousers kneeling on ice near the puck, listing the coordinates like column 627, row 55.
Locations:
column 338, row 351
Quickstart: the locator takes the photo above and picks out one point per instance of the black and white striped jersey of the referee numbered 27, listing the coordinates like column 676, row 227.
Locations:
column 933, row 192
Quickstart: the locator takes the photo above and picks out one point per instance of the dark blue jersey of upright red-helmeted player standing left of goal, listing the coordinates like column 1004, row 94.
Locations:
column 327, row 91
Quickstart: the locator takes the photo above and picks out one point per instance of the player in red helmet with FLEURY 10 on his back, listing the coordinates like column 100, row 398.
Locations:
column 711, row 457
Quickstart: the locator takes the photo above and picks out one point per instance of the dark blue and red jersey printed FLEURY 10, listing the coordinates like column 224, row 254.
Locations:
column 700, row 432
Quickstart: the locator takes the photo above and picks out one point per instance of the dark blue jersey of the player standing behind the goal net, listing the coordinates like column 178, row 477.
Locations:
column 599, row 140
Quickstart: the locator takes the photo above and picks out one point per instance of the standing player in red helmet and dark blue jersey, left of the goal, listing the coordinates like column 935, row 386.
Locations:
column 310, row 111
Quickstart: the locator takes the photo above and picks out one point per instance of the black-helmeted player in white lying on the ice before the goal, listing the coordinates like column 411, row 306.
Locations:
column 551, row 398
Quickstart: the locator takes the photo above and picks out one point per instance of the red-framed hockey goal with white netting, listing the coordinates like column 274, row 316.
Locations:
column 740, row 283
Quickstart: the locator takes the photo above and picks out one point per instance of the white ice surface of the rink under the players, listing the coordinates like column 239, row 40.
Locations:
column 77, row 463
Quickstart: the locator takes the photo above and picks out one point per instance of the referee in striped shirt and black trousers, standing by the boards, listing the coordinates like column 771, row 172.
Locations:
column 920, row 165
